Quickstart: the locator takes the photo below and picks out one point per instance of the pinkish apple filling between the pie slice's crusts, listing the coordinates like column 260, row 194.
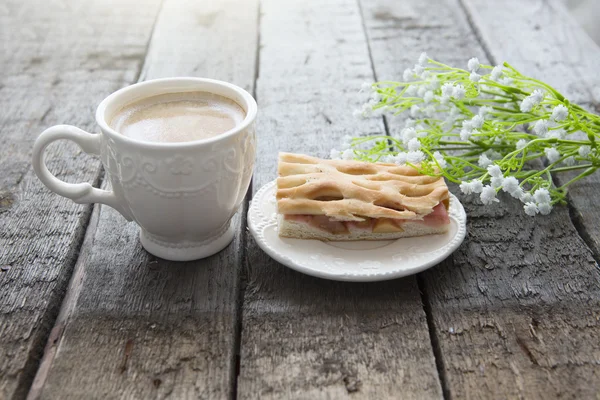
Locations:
column 438, row 217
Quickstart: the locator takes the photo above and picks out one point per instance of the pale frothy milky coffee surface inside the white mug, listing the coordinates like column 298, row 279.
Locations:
column 178, row 117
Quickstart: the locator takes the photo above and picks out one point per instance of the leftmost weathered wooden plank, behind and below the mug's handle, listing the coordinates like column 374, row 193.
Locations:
column 58, row 62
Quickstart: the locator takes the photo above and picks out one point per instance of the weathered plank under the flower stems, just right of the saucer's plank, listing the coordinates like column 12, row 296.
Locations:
column 514, row 314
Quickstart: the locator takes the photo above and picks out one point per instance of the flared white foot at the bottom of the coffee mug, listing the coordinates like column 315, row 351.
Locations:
column 187, row 251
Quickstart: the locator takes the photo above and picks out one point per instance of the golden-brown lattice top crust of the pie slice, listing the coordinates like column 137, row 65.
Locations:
column 355, row 190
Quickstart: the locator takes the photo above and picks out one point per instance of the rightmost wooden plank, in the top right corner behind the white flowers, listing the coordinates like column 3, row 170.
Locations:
column 552, row 46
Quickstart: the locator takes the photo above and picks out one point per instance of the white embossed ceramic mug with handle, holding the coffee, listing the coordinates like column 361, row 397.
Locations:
column 182, row 195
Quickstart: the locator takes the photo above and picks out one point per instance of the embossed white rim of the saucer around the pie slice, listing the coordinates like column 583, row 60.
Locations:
column 277, row 250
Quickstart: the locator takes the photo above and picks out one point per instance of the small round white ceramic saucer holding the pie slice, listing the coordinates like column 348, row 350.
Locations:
column 361, row 261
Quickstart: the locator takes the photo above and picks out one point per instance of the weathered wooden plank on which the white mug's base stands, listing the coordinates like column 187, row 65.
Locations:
column 136, row 326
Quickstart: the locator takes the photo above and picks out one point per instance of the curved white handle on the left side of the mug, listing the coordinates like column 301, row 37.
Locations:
column 80, row 193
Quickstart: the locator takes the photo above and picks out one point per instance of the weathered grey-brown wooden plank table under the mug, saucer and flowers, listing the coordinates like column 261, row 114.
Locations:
column 85, row 312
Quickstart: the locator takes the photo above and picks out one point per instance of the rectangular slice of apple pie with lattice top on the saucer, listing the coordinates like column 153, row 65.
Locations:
column 354, row 200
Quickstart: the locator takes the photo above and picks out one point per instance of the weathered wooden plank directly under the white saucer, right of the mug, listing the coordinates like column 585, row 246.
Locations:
column 305, row 337
